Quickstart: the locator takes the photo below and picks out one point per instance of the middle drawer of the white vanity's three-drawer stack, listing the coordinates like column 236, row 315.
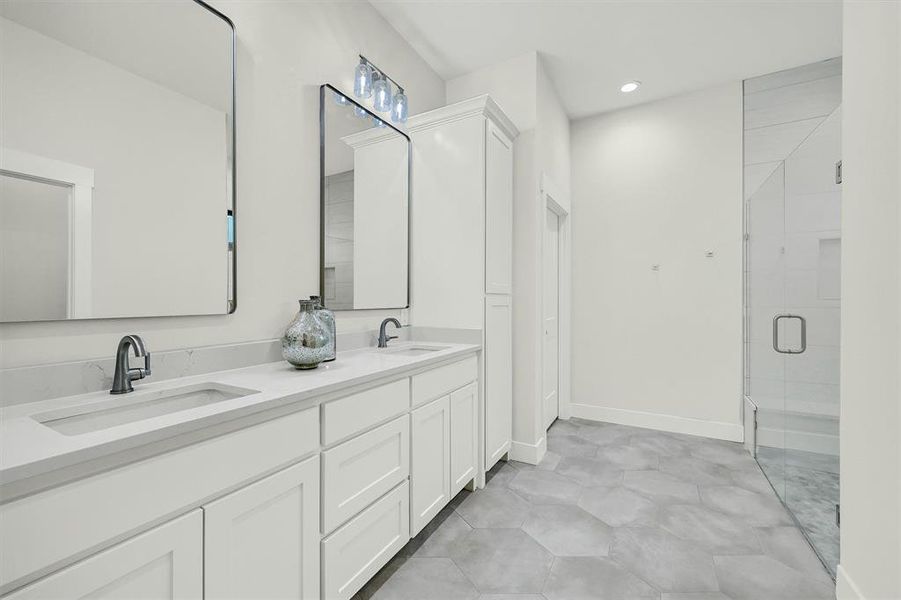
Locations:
column 360, row 470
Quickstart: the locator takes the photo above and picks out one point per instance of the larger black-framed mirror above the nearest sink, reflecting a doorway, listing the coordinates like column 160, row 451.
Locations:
column 117, row 166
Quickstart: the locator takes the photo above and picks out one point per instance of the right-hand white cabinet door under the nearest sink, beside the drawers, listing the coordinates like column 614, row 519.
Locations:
column 262, row 541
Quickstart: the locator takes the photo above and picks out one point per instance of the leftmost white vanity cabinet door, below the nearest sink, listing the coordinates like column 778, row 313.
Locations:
column 163, row 563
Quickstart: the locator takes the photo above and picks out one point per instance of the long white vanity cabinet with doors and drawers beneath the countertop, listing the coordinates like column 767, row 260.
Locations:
column 306, row 504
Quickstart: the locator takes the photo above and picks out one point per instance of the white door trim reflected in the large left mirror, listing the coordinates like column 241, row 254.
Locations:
column 80, row 180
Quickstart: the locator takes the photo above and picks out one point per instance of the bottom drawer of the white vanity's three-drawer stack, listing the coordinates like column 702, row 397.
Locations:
column 356, row 552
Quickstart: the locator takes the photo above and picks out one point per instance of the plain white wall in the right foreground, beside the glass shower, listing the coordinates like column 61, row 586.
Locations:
column 871, row 303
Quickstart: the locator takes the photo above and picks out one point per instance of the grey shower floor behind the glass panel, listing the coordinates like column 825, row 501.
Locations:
column 808, row 483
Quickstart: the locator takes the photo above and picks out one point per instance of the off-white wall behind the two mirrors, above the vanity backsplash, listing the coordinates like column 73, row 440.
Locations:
column 285, row 51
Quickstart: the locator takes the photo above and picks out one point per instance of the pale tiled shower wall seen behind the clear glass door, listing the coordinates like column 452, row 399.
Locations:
column 792, row 141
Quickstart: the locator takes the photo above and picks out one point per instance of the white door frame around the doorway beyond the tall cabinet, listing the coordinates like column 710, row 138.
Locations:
column 554, row 199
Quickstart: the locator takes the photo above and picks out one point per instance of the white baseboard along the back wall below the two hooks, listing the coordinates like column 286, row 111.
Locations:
column 713, row 429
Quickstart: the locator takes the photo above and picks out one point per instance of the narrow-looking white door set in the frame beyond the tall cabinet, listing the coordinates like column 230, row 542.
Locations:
column 550, row 308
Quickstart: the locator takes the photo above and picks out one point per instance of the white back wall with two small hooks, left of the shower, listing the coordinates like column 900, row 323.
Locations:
column 659, row 184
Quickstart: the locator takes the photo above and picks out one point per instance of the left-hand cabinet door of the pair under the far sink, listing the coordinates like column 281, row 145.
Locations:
column 430, row 454
